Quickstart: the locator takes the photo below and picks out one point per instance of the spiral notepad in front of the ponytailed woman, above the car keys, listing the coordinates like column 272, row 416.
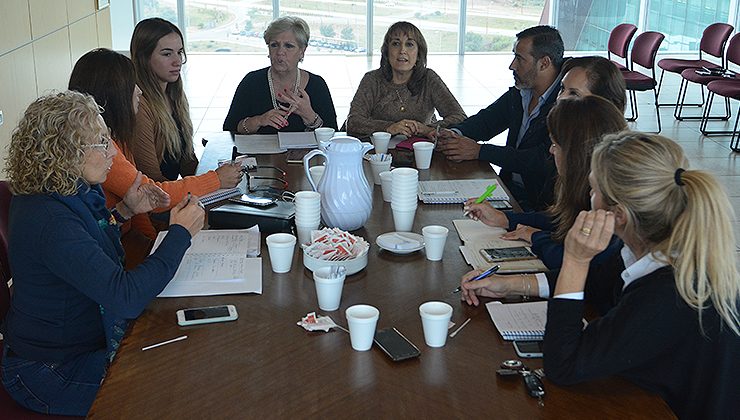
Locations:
column 519, row 321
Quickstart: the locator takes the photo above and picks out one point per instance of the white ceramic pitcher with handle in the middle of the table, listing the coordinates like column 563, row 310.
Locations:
column 346, row 197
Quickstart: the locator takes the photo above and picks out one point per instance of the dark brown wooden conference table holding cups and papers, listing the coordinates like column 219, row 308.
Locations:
column 264, row 365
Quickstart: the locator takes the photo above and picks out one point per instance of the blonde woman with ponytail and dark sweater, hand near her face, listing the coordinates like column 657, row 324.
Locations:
column 669, row 304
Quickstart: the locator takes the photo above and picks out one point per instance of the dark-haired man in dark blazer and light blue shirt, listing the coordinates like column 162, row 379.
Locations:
column 526, row 165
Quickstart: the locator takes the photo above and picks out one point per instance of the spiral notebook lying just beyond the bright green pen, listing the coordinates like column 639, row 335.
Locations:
column 458, row 191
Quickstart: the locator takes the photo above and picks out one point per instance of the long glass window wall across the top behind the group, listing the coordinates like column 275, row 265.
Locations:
column 341, row 26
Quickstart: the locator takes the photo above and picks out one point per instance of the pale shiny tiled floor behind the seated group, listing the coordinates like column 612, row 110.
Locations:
column 476, row 80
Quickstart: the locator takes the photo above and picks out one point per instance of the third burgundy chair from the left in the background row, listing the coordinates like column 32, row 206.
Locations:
column 712, row 42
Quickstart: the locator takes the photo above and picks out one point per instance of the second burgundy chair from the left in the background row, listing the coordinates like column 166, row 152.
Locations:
column 643, row 54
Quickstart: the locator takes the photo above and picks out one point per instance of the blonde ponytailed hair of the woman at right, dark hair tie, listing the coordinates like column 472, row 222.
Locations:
column 685, row 215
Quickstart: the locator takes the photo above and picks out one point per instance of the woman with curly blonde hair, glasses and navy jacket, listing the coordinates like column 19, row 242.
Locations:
column 71, row 295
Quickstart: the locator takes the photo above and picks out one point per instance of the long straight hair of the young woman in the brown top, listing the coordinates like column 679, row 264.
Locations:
column 144, row 41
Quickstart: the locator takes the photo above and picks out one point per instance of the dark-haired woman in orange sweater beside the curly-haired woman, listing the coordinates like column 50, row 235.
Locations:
column 110, row 78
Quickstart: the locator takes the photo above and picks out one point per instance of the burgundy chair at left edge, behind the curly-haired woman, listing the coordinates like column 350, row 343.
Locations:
column 9, row 409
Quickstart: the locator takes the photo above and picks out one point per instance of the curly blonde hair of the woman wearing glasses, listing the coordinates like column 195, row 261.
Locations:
column 46, row 153
